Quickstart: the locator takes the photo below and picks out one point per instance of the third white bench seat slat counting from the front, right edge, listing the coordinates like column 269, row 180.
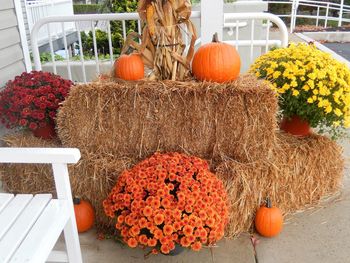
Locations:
column 12, row 211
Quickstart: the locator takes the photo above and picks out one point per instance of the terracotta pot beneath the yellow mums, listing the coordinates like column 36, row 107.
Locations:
column 296, row 126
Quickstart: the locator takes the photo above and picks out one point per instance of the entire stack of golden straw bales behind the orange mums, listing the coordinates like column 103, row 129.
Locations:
column 232, row 125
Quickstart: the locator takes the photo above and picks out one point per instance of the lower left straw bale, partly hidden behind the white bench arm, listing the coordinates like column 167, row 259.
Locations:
column 92, row 178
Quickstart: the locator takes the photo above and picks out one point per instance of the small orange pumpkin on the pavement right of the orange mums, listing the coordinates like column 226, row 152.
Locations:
column 268, row 220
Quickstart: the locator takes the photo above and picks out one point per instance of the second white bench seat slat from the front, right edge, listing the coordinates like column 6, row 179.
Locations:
column 14, row 236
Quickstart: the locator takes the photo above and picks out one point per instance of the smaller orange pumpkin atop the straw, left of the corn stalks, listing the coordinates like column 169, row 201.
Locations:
column 129, row 67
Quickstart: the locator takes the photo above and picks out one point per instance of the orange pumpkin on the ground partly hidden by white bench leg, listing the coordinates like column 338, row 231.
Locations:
column 84, row 214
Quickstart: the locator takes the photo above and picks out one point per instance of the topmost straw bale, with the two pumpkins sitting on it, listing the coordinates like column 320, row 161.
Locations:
column 135, row 119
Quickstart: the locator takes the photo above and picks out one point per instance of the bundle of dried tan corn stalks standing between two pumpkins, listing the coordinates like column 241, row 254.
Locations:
column 163, row 48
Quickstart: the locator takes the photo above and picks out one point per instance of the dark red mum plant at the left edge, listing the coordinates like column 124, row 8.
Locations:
column 31, row 100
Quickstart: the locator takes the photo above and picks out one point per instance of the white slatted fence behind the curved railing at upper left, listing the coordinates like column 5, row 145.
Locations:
column 38, row 9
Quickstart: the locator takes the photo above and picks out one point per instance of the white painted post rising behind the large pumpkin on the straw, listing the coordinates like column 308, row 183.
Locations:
column 212, row 19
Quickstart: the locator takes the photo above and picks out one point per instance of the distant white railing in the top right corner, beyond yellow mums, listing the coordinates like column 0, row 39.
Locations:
column 320, row 11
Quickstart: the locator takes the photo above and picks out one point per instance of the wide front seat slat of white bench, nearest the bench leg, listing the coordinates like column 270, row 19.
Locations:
column 41, row 239
